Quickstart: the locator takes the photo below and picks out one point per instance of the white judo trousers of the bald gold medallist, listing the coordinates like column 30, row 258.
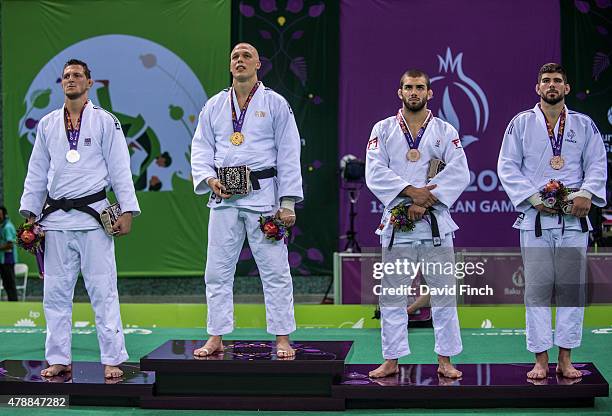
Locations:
column 227, row 228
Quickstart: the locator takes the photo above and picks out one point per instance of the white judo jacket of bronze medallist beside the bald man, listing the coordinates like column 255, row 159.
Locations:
column 388, row 172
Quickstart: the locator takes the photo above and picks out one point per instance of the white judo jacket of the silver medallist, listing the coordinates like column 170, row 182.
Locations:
column 105, row 161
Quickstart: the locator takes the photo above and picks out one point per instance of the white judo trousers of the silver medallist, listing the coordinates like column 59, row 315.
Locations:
column 93, row 253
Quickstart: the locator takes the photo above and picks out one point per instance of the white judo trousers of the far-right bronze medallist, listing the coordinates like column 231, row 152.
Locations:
column 558, row 261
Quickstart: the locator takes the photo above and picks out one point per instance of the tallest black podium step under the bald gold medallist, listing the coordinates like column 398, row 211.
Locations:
column 247, row 375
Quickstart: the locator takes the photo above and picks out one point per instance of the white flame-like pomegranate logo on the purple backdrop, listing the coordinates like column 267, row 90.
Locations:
column 464, row 104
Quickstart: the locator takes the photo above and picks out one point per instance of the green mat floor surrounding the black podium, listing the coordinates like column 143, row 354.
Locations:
column 480, row 346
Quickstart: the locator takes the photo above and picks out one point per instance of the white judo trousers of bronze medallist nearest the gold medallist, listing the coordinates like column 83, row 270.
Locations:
column 394, row 317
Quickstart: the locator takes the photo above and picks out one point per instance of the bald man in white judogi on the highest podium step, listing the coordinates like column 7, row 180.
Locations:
column 248, row 130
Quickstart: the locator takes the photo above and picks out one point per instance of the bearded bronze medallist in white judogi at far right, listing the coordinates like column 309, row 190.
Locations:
column 548, row 142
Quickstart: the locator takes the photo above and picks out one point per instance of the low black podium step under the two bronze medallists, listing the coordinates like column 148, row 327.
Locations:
column 482, row 385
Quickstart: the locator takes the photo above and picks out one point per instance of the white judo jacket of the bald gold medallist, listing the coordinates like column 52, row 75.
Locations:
column 271, row 139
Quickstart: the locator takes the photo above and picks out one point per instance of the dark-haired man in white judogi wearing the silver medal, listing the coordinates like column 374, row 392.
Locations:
column 79, row 151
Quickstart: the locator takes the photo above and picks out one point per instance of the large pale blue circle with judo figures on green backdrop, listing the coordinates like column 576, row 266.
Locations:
column 153, row 93
